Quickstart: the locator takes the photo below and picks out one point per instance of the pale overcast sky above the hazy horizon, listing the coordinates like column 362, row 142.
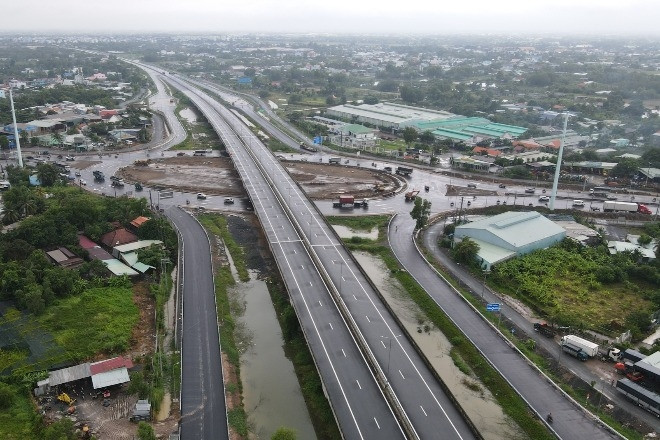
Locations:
column 630, row 17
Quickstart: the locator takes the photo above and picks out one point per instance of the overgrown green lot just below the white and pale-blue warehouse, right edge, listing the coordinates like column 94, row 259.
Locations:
column 581, row 286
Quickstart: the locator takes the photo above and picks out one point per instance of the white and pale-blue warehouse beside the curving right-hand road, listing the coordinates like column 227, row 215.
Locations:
column 510, row 234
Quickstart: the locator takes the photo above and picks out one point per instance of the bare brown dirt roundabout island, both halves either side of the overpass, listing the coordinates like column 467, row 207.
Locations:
column 218, row 176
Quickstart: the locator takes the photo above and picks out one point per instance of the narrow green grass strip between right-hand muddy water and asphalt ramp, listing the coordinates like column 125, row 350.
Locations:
column 463, row 352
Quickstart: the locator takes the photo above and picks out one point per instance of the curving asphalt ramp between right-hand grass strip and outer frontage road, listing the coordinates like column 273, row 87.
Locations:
column 570, row 420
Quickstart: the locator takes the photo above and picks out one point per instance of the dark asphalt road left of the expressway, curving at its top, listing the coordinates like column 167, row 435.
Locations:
column 203, row 409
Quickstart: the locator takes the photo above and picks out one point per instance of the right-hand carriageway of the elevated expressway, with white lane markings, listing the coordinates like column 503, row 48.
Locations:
column 416, row 387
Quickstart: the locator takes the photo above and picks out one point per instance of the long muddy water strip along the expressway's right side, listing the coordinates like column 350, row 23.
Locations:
column 479, row 404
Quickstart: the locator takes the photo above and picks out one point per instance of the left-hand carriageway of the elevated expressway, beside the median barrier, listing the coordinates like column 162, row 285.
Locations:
column 359, row 406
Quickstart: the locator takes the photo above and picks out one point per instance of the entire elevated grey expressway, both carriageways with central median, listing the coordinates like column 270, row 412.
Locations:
column 347, row 326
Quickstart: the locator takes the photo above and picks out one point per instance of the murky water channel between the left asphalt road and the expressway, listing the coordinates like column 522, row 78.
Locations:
column 271, row 392
